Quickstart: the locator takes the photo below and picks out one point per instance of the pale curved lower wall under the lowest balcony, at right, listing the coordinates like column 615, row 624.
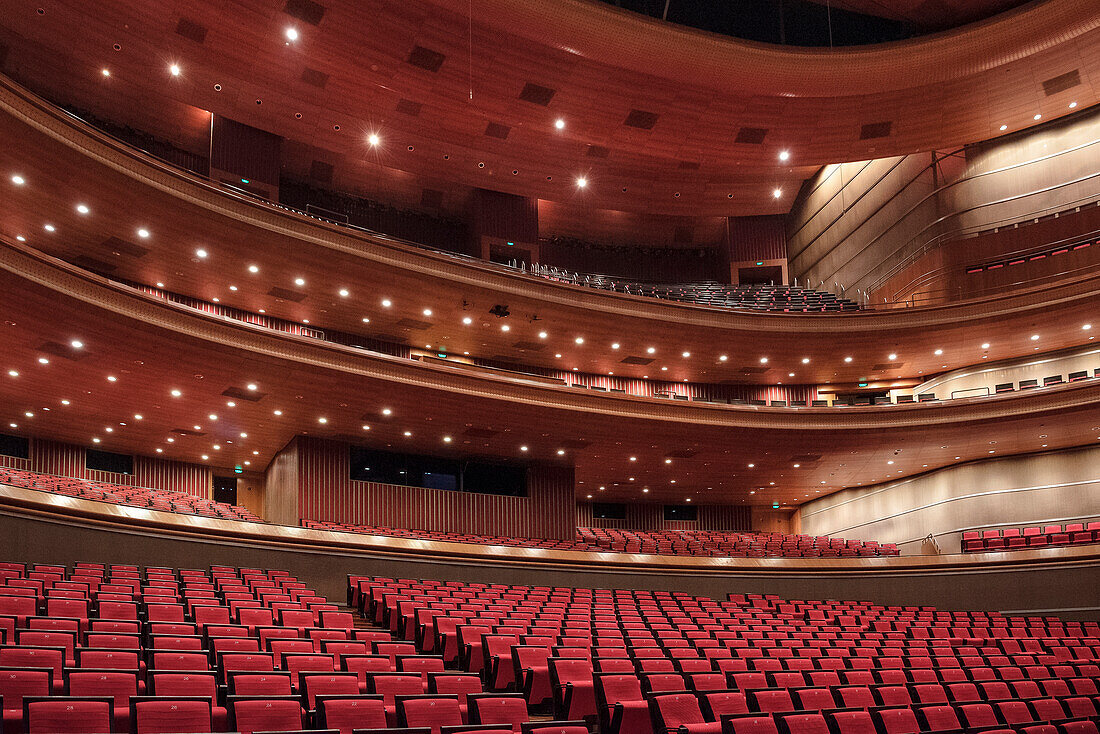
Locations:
column 1059, row 487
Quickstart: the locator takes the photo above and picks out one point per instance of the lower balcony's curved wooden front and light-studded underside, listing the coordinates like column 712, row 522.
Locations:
column 135, row 352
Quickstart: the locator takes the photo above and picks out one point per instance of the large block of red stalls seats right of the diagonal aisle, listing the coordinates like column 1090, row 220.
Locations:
column 603, row 656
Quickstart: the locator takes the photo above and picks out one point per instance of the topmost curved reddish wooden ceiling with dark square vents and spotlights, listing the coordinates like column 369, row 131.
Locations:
column 667, row 105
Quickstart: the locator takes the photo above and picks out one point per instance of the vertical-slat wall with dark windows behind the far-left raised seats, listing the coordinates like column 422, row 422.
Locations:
column 68, row 461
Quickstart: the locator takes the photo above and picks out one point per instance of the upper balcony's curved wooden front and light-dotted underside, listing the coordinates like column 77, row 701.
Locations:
column 65, row 166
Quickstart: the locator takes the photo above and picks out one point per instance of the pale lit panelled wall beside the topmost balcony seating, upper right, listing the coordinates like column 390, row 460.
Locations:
column 860, row 224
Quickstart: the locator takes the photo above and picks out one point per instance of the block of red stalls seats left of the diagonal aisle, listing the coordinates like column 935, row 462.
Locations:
column 246, row 651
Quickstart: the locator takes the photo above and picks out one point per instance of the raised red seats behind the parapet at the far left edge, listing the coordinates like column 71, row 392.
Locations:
column 137, row 497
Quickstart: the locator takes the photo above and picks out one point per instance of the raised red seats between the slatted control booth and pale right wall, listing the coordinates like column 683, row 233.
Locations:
column 710, row 543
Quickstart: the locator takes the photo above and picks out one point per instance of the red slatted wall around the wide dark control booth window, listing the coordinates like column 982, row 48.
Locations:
column 328, row 494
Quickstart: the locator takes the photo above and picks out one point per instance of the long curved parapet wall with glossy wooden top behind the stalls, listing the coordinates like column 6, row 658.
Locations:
column 39, row 528
